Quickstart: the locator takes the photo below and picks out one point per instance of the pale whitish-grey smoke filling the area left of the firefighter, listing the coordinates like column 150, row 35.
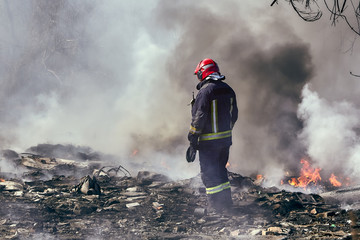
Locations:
column 89, row 74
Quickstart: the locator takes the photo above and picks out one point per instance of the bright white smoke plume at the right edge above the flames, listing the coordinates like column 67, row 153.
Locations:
column 330, row 133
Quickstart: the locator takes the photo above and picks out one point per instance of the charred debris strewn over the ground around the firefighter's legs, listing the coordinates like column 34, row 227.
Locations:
column 109, row 203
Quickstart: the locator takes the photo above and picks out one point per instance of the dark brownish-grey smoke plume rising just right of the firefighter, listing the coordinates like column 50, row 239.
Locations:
column 267, row 79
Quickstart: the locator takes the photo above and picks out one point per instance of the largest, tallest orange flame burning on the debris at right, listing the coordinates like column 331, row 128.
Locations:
column 307, row 175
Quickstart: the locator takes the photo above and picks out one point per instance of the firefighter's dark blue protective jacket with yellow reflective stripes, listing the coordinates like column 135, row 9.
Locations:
column 214, row 114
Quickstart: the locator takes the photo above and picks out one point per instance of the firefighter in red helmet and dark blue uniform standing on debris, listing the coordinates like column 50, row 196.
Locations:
column 214, row 113
